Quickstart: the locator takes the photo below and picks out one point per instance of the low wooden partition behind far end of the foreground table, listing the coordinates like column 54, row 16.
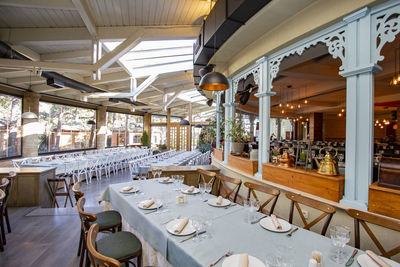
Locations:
column 191, row 176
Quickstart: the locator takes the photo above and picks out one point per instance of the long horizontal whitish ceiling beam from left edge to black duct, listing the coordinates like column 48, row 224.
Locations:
column 60, row 35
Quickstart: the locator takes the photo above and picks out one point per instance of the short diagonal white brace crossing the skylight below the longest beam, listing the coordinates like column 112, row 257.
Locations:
column 119, row 51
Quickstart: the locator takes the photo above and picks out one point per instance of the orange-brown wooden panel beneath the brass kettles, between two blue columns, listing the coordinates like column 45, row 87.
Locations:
column 329, row 187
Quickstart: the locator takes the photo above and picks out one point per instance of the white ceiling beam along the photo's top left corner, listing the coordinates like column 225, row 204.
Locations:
column 59, row 4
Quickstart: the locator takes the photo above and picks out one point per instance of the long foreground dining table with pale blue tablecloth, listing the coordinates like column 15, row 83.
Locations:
column 228, row 230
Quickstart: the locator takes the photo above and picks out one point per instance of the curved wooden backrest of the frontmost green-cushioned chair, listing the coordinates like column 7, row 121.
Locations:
column 96, row 258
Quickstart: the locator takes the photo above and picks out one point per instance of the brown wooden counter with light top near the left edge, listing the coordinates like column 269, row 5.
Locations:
column 30, row 186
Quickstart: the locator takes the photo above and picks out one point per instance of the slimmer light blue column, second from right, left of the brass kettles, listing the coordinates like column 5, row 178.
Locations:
column 264, row 94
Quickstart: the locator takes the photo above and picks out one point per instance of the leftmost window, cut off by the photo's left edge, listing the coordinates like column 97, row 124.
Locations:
column 10, row 126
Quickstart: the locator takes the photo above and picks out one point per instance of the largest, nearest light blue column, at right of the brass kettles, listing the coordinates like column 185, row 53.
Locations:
column 359, row 72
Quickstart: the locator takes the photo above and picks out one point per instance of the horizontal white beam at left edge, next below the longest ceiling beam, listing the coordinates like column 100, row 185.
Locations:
column 46, row 66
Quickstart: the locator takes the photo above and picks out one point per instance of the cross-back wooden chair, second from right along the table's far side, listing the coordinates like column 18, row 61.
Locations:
column 327, row 211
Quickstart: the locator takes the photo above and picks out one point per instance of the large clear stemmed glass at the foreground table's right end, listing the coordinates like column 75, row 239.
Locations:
column 340, row 236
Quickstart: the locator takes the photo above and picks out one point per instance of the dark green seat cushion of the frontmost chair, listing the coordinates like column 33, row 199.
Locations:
column 120, row 245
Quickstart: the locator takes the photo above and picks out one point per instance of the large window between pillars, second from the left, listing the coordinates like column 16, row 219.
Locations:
column 66, row 127
